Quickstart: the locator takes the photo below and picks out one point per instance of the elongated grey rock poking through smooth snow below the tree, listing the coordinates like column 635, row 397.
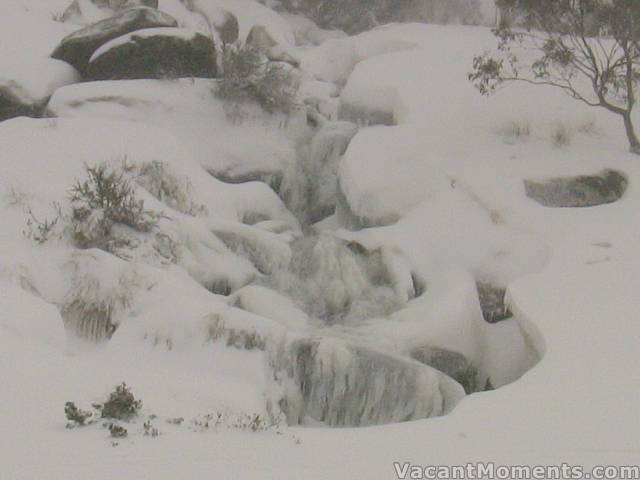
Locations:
column 605, row 187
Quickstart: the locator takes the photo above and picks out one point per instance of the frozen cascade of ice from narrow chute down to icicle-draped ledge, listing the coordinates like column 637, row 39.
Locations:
column 358, row 349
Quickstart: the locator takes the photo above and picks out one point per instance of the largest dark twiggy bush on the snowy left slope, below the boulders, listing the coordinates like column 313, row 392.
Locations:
column 104, row 199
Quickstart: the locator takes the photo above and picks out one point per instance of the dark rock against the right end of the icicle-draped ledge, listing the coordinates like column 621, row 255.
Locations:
column 453, row 364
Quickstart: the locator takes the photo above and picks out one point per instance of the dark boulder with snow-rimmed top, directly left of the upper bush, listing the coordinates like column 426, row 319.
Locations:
column 158, row 53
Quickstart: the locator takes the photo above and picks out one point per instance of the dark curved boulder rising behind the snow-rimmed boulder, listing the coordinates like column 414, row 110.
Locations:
column 77, row 48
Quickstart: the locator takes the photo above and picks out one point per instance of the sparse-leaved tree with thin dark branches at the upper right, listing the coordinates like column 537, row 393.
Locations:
column 590, row 49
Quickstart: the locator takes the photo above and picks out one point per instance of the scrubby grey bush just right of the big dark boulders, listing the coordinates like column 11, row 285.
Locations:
column 249, row 77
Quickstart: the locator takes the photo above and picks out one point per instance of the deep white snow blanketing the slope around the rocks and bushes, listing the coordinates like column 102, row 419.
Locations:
column 441, row 188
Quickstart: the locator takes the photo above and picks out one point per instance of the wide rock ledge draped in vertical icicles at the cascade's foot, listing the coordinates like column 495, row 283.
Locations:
column 329, row 381
